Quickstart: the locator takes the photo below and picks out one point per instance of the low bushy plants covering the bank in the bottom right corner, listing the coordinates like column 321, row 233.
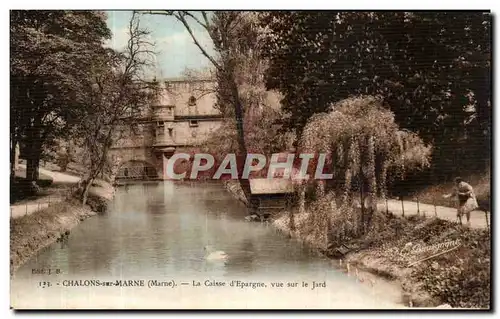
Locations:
column 460, row 277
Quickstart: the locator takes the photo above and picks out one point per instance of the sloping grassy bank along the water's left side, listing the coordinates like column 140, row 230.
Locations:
column 31, row 233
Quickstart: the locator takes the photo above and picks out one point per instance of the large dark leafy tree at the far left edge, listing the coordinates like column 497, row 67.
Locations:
column 51, row 55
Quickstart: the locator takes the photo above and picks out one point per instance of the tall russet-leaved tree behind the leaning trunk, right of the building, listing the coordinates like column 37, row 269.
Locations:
column 261, row 107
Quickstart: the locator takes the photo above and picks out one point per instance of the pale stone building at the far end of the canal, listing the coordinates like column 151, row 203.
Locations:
column 182, row 117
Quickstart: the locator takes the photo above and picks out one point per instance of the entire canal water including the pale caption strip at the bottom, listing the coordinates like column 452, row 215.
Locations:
column 156, row 233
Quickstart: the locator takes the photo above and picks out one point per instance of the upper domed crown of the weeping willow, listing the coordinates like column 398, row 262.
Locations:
column 354, row 123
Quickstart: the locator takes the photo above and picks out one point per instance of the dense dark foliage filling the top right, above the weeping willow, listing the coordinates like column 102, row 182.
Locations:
column 432, row 68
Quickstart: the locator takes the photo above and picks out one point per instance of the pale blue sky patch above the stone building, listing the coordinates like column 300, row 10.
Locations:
column 173, row 44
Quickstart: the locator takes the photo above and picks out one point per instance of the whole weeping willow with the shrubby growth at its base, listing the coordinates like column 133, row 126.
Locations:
column 363, row 144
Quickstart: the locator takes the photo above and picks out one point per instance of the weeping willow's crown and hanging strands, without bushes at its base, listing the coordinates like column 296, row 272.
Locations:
column 363, row 143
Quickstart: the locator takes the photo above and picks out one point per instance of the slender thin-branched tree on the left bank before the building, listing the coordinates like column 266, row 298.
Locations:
column 118, row 92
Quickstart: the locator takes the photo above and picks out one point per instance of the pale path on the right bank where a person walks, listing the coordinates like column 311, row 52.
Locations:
column 477, row 218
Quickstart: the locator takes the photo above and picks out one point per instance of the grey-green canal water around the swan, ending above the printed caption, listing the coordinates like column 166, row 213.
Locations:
column 159, row 229
